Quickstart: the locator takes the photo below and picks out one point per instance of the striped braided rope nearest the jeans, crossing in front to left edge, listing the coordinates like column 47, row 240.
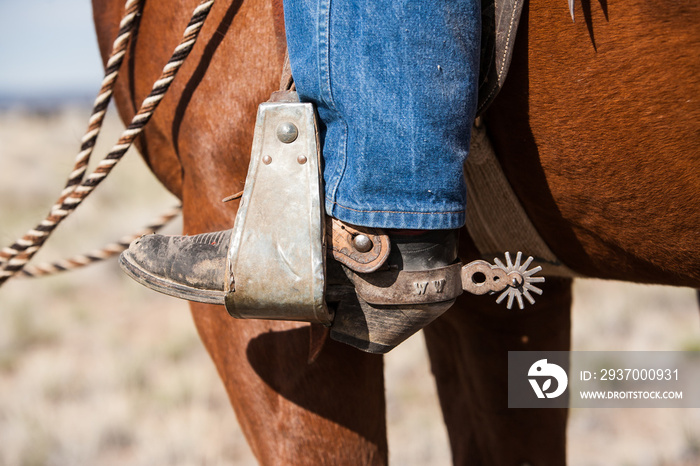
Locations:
column 16, row 256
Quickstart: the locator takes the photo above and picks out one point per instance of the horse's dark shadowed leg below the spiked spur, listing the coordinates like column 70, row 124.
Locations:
column 468, row 349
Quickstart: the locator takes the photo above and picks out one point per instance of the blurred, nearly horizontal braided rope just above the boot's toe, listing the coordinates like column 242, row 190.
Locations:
column 97, row 255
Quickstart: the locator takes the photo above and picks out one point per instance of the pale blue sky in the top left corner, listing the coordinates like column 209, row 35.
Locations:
column 48, row 47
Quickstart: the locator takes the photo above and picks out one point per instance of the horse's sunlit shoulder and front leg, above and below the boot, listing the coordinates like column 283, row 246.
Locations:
column 198, row 143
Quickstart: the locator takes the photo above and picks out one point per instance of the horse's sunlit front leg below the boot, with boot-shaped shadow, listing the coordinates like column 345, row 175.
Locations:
column 328, row 412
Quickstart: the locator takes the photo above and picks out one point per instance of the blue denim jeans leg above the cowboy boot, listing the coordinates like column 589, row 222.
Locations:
column 395, row 85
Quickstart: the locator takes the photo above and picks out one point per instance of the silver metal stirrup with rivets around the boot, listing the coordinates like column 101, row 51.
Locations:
column 276, row 262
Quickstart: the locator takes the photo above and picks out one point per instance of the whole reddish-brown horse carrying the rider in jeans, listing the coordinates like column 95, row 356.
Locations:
column 598, row 130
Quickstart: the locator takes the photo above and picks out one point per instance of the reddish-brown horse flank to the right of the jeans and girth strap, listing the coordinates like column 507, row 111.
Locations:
column 598, row 129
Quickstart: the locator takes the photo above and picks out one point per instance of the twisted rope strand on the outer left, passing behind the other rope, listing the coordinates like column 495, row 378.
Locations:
column 116, row 57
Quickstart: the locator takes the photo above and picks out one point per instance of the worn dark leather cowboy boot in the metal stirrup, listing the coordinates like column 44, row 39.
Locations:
column 380, row 294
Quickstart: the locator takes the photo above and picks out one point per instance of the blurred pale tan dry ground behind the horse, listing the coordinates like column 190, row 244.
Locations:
column 95, row 369
